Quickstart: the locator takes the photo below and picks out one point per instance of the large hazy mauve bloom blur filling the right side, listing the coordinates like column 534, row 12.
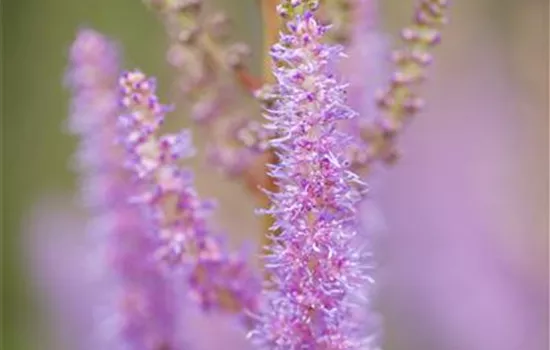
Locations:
column 461, row 250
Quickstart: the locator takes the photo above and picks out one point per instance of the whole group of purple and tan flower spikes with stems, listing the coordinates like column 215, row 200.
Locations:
column 326, row 128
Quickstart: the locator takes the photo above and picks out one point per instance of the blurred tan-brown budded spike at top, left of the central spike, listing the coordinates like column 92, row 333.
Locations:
column 213, row 79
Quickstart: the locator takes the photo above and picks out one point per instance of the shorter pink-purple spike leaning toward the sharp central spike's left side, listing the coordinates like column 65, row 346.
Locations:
column 217, row 279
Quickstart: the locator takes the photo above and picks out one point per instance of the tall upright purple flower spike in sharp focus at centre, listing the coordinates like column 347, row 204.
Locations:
column 315, row 269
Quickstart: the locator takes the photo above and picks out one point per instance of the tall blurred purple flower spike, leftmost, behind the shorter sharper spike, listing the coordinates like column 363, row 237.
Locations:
column 144, row 308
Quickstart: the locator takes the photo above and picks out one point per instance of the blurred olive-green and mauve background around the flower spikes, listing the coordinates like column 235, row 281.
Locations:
column 477, row 159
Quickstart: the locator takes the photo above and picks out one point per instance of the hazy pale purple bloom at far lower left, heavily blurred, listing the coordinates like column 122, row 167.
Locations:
column 62, row 264
